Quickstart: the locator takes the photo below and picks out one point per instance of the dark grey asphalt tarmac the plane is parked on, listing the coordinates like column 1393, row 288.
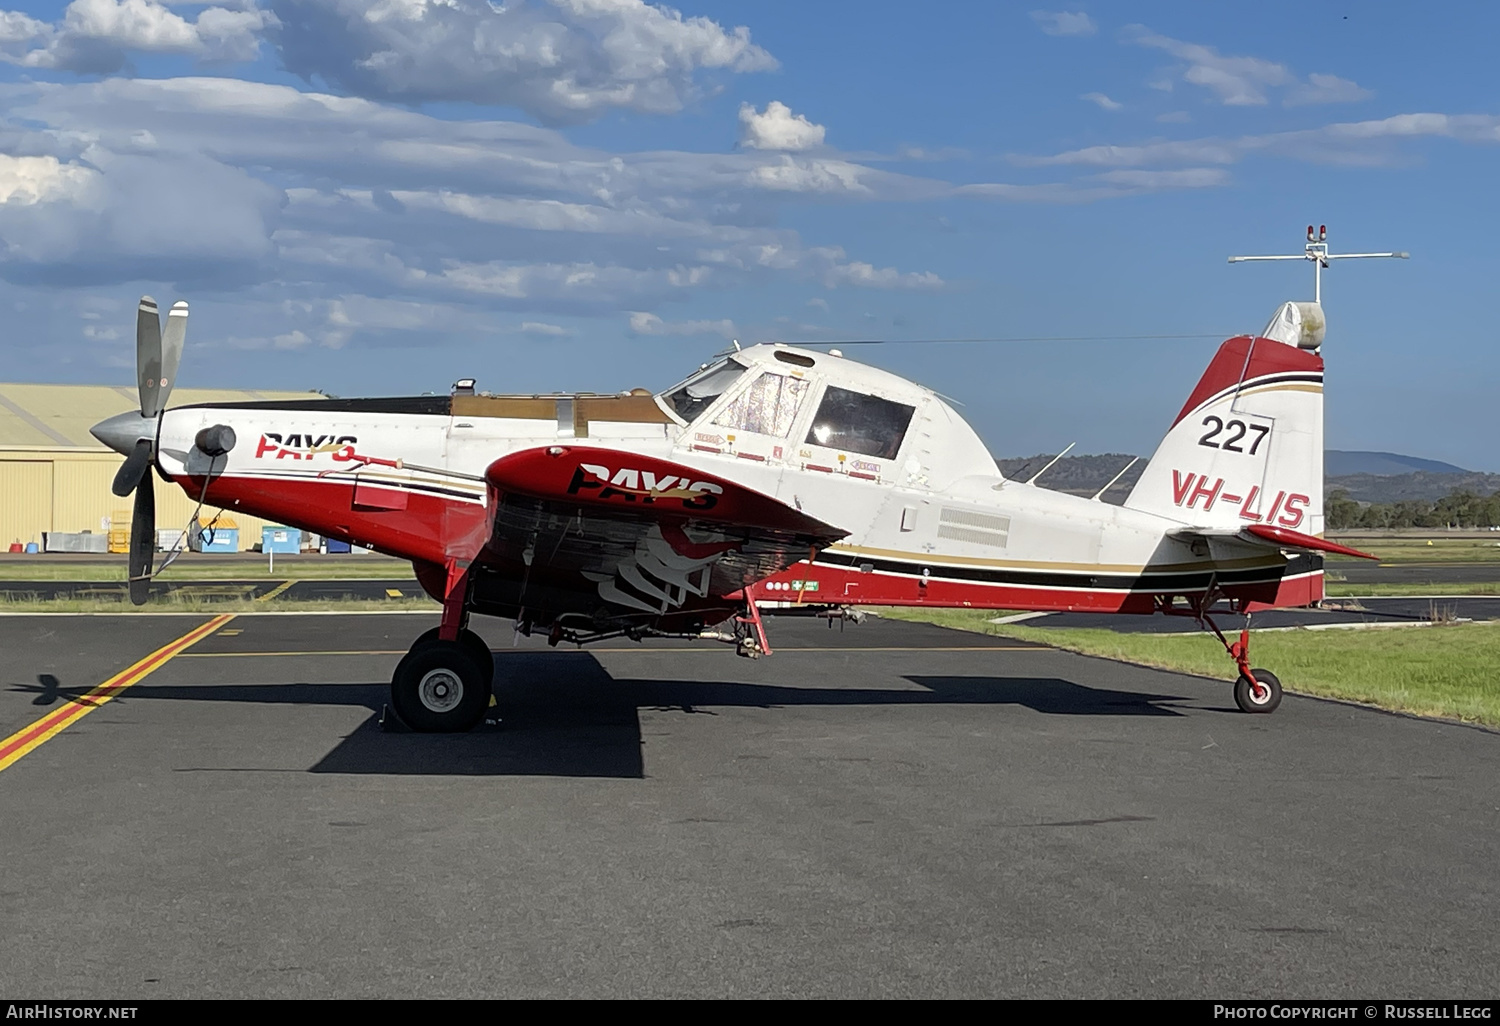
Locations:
column 893, row 811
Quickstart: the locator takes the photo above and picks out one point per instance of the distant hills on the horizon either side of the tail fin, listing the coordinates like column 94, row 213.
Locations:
column 1390, row 478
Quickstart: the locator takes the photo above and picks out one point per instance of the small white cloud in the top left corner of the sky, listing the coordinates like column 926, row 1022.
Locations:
column 95, row 37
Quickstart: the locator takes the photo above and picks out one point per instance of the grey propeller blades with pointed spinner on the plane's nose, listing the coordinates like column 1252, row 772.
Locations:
column 134, row 434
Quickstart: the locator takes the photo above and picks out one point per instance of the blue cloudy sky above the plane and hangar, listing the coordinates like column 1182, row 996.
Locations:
column 385, row 196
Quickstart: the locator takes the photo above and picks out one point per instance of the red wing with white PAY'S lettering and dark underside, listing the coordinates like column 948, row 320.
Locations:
column 580, row 526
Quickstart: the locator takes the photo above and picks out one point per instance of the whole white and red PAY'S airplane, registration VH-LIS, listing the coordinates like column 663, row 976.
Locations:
column 773, row 478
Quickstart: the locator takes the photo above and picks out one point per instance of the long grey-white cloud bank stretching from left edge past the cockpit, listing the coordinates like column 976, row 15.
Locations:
column 331, row 196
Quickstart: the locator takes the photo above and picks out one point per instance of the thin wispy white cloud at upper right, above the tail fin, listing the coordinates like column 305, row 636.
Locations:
column 1244, row 82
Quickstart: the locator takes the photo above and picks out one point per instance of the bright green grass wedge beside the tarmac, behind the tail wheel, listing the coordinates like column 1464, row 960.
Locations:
column 1450, row 670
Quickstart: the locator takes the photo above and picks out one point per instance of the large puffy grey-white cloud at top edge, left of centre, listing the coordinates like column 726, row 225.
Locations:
column 565, row 61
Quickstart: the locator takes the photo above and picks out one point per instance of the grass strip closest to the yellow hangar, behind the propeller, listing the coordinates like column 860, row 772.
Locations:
column 188, row 569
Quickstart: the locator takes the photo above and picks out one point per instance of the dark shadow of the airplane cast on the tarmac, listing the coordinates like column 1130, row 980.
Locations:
column 563, row 715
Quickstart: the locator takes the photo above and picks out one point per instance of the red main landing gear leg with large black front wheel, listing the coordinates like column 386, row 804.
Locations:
column 443, row 685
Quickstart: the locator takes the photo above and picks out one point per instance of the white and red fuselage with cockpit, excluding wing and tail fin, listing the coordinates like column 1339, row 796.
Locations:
column 929, row 518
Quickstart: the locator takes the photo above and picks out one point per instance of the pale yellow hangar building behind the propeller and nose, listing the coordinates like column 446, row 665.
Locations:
column 56, row 478
